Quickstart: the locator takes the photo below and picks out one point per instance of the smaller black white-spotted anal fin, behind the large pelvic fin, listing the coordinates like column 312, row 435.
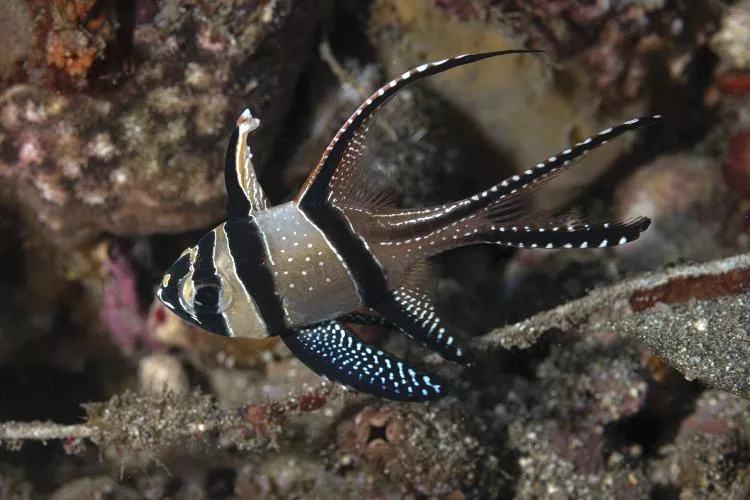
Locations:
column 414, row 314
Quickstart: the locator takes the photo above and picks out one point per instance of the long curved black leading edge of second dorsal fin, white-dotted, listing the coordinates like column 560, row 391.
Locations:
column 317, row 187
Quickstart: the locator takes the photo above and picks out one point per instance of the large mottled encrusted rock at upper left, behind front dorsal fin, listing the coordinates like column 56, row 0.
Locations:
column 146, row 155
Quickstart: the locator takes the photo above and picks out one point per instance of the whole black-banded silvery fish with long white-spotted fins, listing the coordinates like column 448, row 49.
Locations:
column 305, row 270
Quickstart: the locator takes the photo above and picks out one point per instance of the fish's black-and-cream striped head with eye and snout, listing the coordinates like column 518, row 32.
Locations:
column 198, row 290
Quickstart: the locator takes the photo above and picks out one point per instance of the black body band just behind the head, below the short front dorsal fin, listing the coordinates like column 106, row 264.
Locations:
column 247, row 251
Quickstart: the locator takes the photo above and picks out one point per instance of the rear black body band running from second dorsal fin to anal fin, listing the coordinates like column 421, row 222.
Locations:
column 366, row 271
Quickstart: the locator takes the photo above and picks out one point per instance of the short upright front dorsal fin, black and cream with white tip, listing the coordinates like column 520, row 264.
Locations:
column 244, row 193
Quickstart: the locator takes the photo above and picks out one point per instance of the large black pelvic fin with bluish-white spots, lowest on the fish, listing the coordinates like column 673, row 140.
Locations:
column 333, row 351
